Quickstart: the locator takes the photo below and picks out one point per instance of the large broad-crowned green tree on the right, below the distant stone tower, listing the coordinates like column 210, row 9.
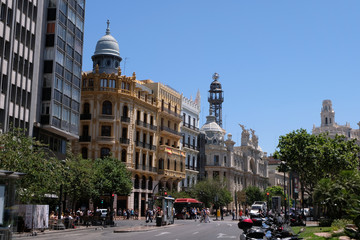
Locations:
column 315, row 157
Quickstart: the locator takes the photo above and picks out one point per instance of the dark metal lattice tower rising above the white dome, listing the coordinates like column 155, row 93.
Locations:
column 215, row 99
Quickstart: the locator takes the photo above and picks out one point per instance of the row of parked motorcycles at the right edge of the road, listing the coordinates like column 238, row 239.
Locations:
column 271, row 227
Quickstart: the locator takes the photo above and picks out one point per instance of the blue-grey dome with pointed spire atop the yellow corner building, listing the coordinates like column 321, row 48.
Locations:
column 107, row 55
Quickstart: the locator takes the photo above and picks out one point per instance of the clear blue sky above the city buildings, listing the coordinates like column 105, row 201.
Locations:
column 277, row 60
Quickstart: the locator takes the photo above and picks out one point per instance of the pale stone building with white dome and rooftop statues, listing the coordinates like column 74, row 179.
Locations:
column 240, row 166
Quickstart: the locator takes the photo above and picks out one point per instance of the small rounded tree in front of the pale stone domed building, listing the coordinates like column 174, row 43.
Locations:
column 212, row 192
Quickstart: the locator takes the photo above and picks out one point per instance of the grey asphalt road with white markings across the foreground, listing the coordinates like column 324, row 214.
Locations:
column 181, row 230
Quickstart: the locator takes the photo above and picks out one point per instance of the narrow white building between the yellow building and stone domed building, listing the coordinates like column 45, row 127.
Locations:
column 190, row 132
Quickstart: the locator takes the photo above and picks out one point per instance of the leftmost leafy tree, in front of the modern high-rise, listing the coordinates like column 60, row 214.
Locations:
column 20, row 153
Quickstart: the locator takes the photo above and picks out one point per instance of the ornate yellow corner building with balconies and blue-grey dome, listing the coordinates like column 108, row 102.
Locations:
column 136, row 121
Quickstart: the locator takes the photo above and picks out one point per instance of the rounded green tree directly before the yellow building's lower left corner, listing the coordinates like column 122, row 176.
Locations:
column 111, row 176
